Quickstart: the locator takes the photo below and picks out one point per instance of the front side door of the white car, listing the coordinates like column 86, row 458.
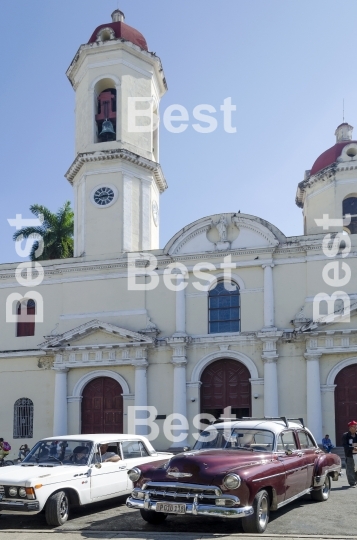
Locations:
column 108, row 479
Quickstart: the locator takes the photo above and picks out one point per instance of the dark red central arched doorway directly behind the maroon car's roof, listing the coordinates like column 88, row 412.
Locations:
column 225, row 383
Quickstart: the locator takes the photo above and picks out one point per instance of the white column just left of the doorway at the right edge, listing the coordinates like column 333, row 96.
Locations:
column 313, row 390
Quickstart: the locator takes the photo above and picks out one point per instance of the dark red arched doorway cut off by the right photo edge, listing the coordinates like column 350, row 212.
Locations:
column 345, row 399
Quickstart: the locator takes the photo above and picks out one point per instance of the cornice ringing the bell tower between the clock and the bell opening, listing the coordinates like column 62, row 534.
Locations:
column 121, row 153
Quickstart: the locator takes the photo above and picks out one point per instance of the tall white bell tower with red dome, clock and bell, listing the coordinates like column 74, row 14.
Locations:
column 116, row 175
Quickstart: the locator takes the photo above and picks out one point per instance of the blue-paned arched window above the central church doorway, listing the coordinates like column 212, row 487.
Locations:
column 224, row 308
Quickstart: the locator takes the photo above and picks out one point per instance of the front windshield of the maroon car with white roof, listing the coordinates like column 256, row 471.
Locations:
column 246, row 439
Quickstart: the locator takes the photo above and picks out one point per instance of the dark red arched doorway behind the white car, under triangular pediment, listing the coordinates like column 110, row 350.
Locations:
column 102, row 406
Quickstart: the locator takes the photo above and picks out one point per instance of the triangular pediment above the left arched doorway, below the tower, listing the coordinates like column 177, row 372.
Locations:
column 95, row 333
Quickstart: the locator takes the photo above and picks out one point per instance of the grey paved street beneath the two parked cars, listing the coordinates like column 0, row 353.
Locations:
column 304, row 518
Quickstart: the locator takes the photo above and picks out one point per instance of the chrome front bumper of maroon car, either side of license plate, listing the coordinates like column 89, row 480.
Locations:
column 195, row 509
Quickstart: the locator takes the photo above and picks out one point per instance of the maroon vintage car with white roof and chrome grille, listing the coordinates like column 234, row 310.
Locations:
column 237, row 469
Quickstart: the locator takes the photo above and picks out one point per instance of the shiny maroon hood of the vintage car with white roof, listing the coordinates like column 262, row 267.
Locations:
column 204, row 465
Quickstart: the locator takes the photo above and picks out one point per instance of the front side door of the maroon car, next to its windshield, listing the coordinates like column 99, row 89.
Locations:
column 293, row 461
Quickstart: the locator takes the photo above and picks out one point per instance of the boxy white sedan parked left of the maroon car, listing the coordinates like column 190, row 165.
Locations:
column 72, row 470
